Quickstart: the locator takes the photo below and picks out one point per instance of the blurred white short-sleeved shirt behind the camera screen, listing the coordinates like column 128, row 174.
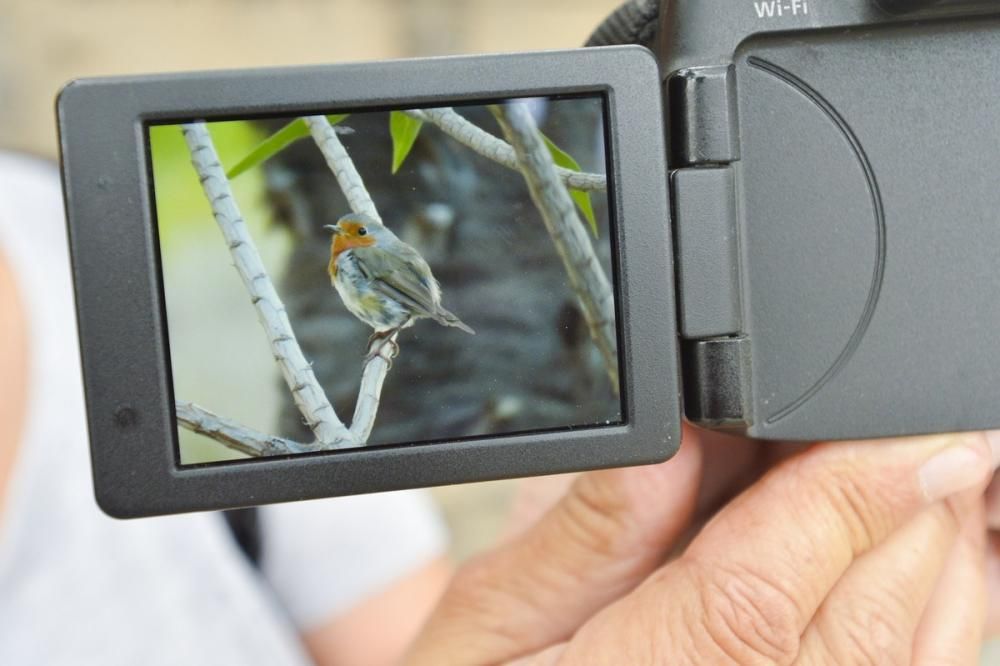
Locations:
column 77, row 587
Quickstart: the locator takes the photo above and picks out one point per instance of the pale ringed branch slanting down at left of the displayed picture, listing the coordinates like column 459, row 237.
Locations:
column 298, row 374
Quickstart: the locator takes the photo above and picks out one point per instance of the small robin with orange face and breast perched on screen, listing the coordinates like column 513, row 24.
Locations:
column 383, row 281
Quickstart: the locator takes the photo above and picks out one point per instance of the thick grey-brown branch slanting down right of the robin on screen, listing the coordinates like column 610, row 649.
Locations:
column 587, row 277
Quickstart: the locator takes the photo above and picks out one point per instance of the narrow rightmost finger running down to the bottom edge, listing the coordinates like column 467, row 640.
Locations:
column 950, row 632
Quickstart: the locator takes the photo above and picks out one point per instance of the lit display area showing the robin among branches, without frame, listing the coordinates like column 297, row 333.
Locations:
column 387, row 277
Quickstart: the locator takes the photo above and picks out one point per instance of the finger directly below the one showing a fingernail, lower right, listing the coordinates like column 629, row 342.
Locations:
column 872, row 613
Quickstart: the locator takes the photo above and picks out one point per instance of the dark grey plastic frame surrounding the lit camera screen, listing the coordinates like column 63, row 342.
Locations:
column 120, row 309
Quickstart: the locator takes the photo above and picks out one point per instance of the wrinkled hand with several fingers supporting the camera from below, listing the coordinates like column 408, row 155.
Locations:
column 856, row 552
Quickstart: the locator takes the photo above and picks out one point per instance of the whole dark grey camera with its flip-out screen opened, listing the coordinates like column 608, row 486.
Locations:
column 303, row 282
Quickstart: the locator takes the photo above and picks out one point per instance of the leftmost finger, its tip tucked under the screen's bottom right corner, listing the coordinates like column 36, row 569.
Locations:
column 604, row 537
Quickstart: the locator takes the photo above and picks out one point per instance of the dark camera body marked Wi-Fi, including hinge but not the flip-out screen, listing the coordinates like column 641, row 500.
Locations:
column 837, row 213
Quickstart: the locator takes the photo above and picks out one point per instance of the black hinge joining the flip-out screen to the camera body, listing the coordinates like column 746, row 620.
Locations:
column 715, row 348
